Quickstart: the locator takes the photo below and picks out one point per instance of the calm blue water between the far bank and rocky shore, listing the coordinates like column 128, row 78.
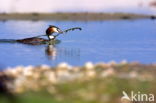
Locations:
column 99, row 41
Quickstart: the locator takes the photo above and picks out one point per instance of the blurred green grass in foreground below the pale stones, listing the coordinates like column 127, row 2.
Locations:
column 106, row 90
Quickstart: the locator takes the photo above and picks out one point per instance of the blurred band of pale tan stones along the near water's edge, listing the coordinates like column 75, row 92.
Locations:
column 67, row 73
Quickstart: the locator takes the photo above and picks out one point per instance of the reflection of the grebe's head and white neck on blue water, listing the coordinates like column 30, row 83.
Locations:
column 51, row 52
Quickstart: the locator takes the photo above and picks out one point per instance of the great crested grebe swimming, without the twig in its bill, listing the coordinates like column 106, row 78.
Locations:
column 36, row 40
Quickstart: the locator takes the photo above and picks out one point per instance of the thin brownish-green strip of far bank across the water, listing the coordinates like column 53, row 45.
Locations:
column 73, row 16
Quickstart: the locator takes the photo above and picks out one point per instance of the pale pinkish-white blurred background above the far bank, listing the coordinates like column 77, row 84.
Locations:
column 48, row 6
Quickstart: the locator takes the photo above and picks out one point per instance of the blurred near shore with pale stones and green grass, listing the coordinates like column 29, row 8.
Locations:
column 88, row 82
